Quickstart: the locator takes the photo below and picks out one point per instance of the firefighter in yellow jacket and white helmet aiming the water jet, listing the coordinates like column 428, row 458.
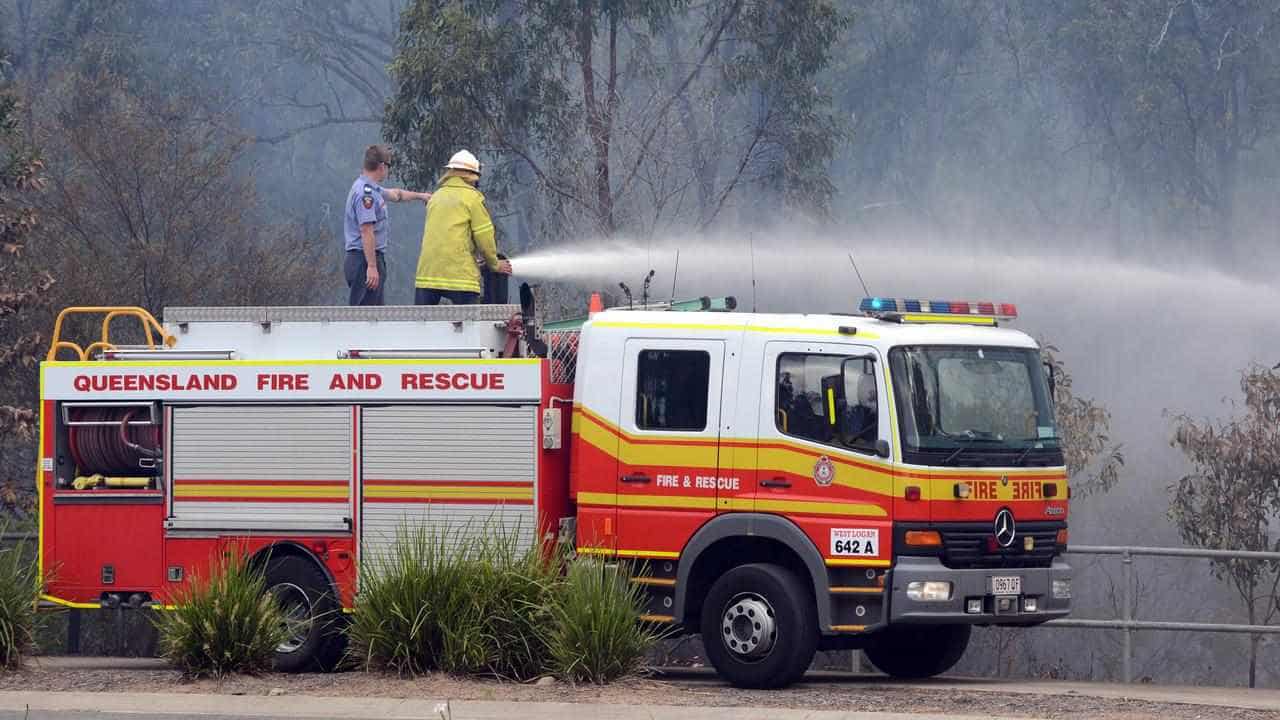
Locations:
column 458, row 231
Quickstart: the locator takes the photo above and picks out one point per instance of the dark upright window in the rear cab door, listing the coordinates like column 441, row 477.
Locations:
column 671, row 390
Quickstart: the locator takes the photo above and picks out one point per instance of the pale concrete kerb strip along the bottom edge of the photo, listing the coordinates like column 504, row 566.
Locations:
column 158, row 707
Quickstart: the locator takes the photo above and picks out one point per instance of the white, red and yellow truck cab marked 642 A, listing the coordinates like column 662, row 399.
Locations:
column 785, row 484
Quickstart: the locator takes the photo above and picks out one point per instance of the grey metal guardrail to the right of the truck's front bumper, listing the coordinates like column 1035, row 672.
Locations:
column 1127, row 623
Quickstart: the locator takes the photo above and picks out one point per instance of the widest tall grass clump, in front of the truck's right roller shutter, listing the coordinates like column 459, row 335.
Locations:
column 458, row 601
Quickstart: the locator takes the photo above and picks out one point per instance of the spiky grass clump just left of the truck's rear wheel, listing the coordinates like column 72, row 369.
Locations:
column 225, row 623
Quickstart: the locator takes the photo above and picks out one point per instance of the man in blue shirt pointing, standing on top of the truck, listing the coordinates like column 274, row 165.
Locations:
column 365, row 227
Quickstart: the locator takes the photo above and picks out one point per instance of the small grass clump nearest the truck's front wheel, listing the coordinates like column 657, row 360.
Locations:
column 597, row 634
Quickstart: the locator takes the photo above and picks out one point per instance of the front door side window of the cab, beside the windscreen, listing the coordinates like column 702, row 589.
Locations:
column 829, row 399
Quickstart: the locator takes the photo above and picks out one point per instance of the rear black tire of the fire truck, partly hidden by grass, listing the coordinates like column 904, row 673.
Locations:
column 317, row 641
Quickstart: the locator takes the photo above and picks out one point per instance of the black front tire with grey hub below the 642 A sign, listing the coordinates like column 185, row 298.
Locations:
column 730, row 616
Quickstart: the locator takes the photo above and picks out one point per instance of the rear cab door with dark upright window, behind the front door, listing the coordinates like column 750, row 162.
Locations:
column 669, row 453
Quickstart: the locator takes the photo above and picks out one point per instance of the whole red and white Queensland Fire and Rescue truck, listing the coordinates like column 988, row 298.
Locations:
column 779, row 484
